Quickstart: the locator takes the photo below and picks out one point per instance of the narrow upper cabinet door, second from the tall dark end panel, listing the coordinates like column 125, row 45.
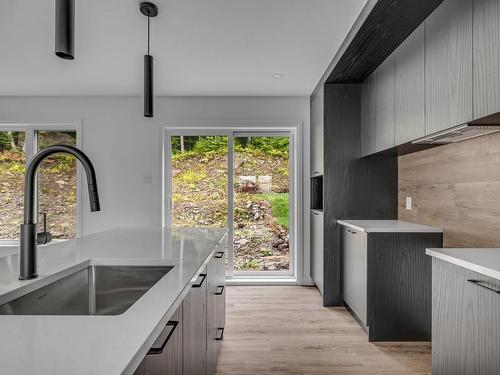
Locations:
column 384, row 114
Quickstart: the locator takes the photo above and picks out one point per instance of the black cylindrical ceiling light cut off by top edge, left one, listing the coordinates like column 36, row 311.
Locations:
column 65, row 29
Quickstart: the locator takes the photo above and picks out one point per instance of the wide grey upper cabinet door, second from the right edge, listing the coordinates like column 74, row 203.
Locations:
column 448, row 65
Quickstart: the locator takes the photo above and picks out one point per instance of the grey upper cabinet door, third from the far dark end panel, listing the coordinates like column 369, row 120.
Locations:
column 409, row 98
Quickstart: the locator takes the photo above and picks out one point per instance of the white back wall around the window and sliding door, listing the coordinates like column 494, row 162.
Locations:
column 124, row 146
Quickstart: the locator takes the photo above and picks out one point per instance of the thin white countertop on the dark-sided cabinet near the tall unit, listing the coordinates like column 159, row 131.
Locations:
column 389, row 226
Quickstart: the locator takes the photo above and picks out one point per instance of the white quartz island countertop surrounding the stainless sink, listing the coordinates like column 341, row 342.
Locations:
column 100, row 344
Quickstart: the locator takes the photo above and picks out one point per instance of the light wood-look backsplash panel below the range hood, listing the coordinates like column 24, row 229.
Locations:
column 455, row 187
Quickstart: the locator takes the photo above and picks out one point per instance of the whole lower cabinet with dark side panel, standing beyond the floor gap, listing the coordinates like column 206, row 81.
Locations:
column 386, row 282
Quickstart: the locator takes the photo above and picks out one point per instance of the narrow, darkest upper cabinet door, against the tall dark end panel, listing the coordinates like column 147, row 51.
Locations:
column 368, row 112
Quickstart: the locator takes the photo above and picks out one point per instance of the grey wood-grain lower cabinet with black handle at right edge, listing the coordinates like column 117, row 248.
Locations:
column 465, row 321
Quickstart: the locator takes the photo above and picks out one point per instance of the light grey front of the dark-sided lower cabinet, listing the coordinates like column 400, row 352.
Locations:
column 354, row 271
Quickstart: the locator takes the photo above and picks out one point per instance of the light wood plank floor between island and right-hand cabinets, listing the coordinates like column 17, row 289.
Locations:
column 285, row 330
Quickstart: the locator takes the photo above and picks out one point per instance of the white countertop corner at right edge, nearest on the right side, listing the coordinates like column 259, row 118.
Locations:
column 483, row 261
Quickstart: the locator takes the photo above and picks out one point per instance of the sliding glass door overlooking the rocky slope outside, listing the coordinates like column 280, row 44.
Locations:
column 238, row 180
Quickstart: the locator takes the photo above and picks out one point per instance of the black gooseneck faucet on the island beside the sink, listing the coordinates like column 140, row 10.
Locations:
column 27, row 264
